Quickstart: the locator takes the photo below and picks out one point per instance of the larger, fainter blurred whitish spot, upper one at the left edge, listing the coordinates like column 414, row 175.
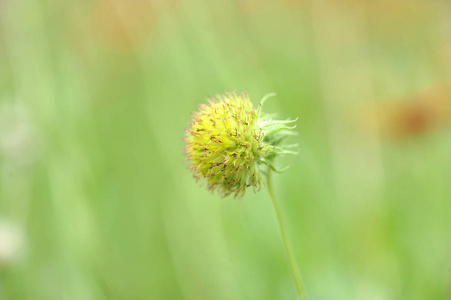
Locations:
column 16, row 134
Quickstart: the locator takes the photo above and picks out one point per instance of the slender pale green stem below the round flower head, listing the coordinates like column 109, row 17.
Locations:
column 286, row 242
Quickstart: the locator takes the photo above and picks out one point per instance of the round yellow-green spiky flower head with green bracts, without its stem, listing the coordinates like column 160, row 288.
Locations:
column 229, row 143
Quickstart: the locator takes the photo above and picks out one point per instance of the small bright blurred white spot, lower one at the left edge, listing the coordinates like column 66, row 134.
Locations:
column 11, row 242
